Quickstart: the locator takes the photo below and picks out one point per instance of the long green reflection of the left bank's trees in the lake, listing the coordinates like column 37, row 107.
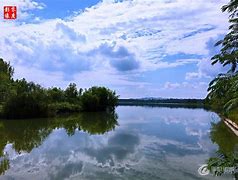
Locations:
column 25, row 135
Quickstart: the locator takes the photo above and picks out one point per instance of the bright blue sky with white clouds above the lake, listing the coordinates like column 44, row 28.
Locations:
column 139, row 48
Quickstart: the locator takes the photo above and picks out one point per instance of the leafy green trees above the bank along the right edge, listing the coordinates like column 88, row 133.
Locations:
column 223, row 90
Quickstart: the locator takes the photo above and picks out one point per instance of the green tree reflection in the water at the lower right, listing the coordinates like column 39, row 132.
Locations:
column 226, row 158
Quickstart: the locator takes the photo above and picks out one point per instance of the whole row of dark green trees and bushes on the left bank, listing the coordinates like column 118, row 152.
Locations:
column 21, row 99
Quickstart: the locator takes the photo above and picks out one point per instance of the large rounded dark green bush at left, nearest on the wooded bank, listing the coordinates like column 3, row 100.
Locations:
column 29, row 100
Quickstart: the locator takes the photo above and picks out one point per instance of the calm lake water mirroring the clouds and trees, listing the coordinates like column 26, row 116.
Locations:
column 134, row 143
